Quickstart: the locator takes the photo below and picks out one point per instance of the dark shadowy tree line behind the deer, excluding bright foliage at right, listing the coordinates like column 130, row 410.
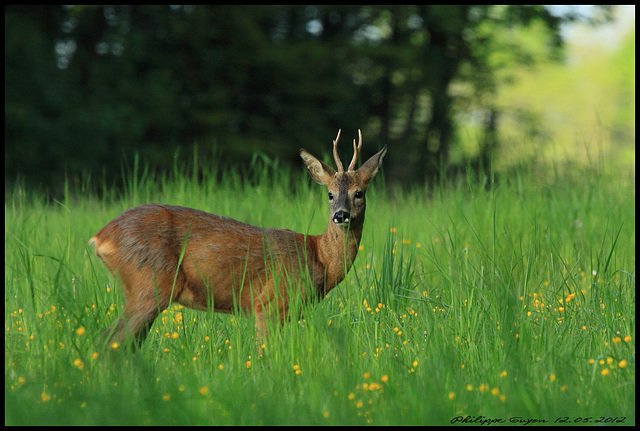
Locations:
column 88, row 86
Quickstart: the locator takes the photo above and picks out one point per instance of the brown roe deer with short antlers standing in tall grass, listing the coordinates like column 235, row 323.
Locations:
column 166, row 254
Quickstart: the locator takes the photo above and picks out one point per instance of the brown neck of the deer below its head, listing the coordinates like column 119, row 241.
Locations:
column 336, row 250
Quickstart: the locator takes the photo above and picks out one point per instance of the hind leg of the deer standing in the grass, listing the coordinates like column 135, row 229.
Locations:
column 146, row 297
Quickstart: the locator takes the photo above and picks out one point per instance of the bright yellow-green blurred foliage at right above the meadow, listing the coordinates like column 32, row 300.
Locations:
column 593, row 117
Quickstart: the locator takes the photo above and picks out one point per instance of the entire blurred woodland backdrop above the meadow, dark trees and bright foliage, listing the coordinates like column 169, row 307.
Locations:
column 450, row 89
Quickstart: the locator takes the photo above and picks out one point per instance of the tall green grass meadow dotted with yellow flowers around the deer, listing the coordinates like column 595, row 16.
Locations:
column 495, row 298
